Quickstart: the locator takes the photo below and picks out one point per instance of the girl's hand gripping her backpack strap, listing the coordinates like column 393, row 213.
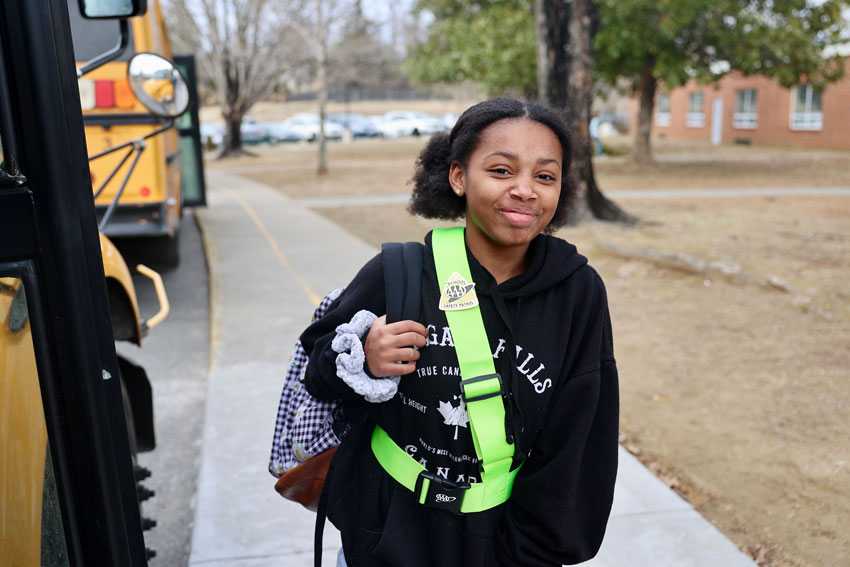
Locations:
column 386, row 345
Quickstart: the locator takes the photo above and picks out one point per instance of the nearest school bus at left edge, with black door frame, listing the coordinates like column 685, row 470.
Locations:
column 69, row 490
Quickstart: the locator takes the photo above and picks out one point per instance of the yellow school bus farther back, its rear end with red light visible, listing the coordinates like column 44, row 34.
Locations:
column 140, row 190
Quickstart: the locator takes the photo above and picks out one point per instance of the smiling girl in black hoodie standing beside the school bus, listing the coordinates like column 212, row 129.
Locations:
column 504, row 168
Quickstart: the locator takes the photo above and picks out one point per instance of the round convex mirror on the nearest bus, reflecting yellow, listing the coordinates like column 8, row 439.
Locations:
column 158, row 84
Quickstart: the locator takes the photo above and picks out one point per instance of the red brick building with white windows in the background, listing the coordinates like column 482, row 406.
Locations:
column 756, row 110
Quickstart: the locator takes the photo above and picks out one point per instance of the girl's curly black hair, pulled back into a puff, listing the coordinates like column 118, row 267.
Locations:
column 433, row 196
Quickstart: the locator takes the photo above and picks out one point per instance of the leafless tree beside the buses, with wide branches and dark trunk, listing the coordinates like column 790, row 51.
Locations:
column 238, row 44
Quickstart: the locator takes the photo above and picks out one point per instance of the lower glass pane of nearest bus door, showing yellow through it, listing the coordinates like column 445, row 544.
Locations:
column 31, row 532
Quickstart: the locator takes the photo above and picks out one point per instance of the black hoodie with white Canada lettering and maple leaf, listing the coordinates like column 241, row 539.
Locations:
column 550, row 334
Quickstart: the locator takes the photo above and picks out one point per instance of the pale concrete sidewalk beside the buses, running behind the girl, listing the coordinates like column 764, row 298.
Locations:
column 269, row 257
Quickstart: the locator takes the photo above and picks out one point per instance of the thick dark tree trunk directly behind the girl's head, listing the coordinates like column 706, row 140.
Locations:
column 565, row 31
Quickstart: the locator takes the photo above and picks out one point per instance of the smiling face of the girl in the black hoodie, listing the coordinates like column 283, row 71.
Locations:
column 512, row 183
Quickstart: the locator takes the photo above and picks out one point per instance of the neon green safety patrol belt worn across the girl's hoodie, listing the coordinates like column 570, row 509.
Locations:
column 482, row 391
